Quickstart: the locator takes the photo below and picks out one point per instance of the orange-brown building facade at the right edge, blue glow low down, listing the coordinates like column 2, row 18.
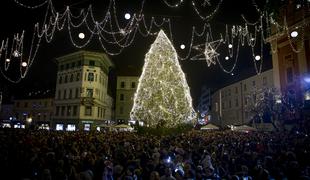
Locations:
column 290, row 50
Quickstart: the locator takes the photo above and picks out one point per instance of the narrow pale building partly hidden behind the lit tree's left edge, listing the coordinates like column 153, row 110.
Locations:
column 125, row 90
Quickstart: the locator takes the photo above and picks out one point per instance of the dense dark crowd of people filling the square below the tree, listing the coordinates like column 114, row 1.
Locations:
column 53, row 155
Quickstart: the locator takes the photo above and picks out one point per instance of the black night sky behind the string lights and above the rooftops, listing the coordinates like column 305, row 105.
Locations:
column 42, row 74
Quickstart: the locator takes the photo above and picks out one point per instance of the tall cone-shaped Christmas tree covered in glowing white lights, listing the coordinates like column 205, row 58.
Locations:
column 163, row 97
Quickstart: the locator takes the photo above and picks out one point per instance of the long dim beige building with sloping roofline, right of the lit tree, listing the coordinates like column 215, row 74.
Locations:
column 229, row 103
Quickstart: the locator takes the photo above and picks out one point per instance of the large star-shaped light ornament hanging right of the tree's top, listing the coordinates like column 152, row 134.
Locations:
column 208, row 52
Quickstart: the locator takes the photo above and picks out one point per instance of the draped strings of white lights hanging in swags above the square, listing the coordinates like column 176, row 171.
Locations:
column 114, row 38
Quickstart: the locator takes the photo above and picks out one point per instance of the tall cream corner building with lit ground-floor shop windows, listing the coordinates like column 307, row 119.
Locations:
column 81, row 99
